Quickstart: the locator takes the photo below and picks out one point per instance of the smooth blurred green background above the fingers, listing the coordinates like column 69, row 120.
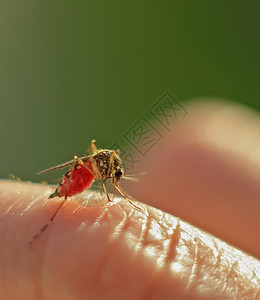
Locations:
column 71, row 71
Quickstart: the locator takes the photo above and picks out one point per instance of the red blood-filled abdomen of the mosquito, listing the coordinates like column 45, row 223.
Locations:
column 74, row 181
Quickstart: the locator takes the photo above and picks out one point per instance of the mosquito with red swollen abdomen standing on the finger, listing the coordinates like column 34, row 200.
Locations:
column 102, row 165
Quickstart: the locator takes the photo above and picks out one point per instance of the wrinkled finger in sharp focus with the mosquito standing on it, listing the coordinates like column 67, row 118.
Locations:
column 100, row 251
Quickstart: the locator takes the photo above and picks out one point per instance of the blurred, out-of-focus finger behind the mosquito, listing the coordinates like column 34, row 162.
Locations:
column 208, row 172
